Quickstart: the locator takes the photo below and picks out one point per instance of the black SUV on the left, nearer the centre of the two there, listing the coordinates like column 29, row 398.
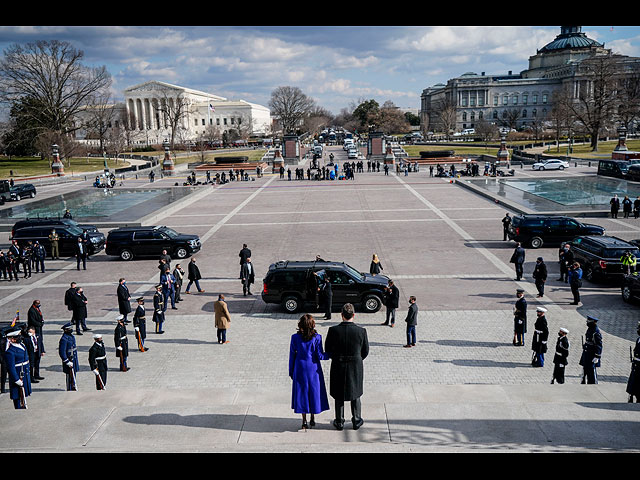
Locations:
column 130, row 242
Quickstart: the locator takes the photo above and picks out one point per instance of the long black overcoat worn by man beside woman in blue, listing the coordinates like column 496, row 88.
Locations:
column 347, row 345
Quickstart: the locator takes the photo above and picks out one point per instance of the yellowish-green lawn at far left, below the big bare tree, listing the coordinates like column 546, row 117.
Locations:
column 34, row 166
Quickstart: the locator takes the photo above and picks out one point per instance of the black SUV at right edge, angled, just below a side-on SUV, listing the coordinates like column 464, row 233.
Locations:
column 599, row 257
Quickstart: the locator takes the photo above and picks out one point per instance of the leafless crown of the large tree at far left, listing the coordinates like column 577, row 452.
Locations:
column 52, row 75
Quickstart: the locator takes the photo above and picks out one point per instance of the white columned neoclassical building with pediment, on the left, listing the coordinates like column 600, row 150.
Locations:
column 148, row 107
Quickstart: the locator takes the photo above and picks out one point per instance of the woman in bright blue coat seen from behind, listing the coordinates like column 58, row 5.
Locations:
column 309, row 393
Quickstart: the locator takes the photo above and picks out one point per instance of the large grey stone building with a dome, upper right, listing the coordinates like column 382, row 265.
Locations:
column 525, row 96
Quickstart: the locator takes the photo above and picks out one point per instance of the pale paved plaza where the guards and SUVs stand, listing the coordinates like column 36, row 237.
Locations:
column 464, row 387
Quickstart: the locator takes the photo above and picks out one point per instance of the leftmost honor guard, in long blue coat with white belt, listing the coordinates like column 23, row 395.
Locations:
column 17, row 363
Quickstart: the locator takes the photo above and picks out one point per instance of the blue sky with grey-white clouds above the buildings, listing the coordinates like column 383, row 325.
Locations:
column 336, row 66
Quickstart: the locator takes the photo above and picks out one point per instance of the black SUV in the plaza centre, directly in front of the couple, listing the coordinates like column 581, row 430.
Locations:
column 292, row 284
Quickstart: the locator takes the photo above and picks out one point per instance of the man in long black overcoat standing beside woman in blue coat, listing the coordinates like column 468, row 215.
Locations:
column 347, row 345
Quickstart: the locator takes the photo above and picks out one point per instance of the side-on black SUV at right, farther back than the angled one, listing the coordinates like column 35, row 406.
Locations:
column 538, row 230
